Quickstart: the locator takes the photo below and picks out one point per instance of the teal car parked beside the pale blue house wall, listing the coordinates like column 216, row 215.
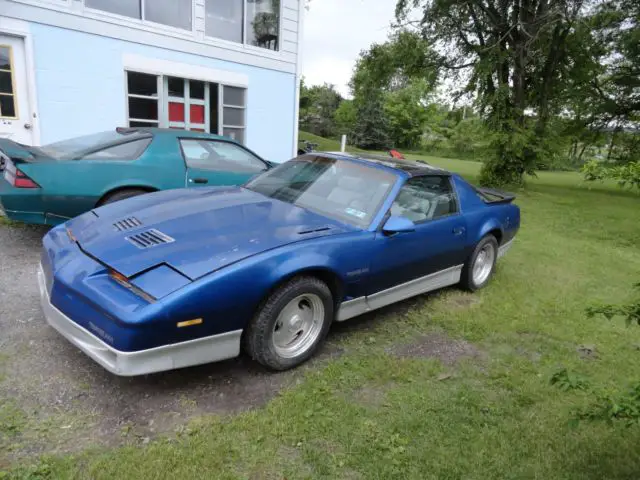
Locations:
column 50, row 184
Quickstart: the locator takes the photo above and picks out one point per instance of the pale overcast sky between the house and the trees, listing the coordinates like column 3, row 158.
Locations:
column 335, row 31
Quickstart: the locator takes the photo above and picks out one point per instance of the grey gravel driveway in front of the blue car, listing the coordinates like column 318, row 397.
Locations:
column 53, row 398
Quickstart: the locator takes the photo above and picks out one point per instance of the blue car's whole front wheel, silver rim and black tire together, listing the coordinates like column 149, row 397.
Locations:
column 291, row 324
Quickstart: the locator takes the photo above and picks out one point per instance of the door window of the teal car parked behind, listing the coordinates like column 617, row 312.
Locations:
column 220, row 156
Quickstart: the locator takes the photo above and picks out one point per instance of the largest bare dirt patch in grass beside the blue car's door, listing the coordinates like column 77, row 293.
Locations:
column 440, row 346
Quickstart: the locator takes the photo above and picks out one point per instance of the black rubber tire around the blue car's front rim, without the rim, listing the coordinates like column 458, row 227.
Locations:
column 258, row 340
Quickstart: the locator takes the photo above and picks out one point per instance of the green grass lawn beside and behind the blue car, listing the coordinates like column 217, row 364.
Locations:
column 371, row 414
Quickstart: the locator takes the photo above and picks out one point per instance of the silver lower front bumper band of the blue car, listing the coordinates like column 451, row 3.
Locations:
column 169, row 357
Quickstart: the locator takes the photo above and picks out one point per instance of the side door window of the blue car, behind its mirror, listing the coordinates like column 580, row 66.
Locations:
column 427, row 198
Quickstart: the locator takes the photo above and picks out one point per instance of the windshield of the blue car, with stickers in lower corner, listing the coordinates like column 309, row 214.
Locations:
column 338, row 189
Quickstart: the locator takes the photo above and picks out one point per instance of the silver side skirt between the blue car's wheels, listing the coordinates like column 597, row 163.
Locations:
column 434, row 281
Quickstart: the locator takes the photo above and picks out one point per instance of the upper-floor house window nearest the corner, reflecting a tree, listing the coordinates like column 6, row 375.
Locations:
column 254, row 22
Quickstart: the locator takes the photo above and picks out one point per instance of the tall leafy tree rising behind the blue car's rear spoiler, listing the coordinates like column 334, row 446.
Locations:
column 516, row 57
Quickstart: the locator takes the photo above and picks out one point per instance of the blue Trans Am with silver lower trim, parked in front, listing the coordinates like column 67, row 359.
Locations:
column 186, row 277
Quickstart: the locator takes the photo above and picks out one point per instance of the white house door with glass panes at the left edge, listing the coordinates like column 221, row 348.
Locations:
column 15, row 111
